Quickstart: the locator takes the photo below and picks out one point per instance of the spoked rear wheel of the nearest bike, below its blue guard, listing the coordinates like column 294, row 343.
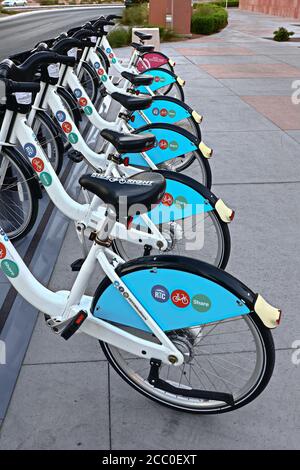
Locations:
column 236, row 356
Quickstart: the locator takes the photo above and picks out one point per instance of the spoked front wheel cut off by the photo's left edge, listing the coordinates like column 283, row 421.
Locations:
column 18, row 201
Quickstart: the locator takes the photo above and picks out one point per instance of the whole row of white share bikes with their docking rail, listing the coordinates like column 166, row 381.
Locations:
column 153, row 275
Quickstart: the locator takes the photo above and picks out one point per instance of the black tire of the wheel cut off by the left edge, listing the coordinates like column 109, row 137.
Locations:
column 19, row 168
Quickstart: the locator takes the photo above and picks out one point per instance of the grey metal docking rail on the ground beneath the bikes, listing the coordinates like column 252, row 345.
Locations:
column 40, row 250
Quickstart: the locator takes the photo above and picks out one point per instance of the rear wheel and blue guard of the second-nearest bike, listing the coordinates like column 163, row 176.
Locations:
column 202, row 235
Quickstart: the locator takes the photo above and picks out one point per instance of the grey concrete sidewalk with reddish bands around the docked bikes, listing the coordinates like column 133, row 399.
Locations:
column 67, row 397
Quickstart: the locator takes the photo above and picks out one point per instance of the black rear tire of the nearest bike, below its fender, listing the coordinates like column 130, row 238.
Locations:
column 266, row 375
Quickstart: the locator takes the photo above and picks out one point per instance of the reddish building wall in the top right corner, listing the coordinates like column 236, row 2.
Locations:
column 289, row 8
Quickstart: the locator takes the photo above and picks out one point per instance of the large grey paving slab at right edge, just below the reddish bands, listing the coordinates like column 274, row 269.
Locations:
column 253, row 156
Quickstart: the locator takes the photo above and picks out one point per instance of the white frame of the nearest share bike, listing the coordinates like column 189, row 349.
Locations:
column 62, row 306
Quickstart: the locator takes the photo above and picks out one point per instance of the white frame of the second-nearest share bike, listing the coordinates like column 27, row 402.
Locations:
column 86, row 216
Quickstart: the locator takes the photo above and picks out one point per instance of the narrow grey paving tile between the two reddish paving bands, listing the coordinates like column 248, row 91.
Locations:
column 259, row 86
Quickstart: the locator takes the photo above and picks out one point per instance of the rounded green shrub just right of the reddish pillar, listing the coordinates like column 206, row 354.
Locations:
column 208, row 19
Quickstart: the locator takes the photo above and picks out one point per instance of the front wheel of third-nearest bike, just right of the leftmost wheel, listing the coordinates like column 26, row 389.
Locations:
column 51, row 136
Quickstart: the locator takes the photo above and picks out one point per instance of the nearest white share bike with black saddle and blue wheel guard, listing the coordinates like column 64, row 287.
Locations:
column 142, row 332
